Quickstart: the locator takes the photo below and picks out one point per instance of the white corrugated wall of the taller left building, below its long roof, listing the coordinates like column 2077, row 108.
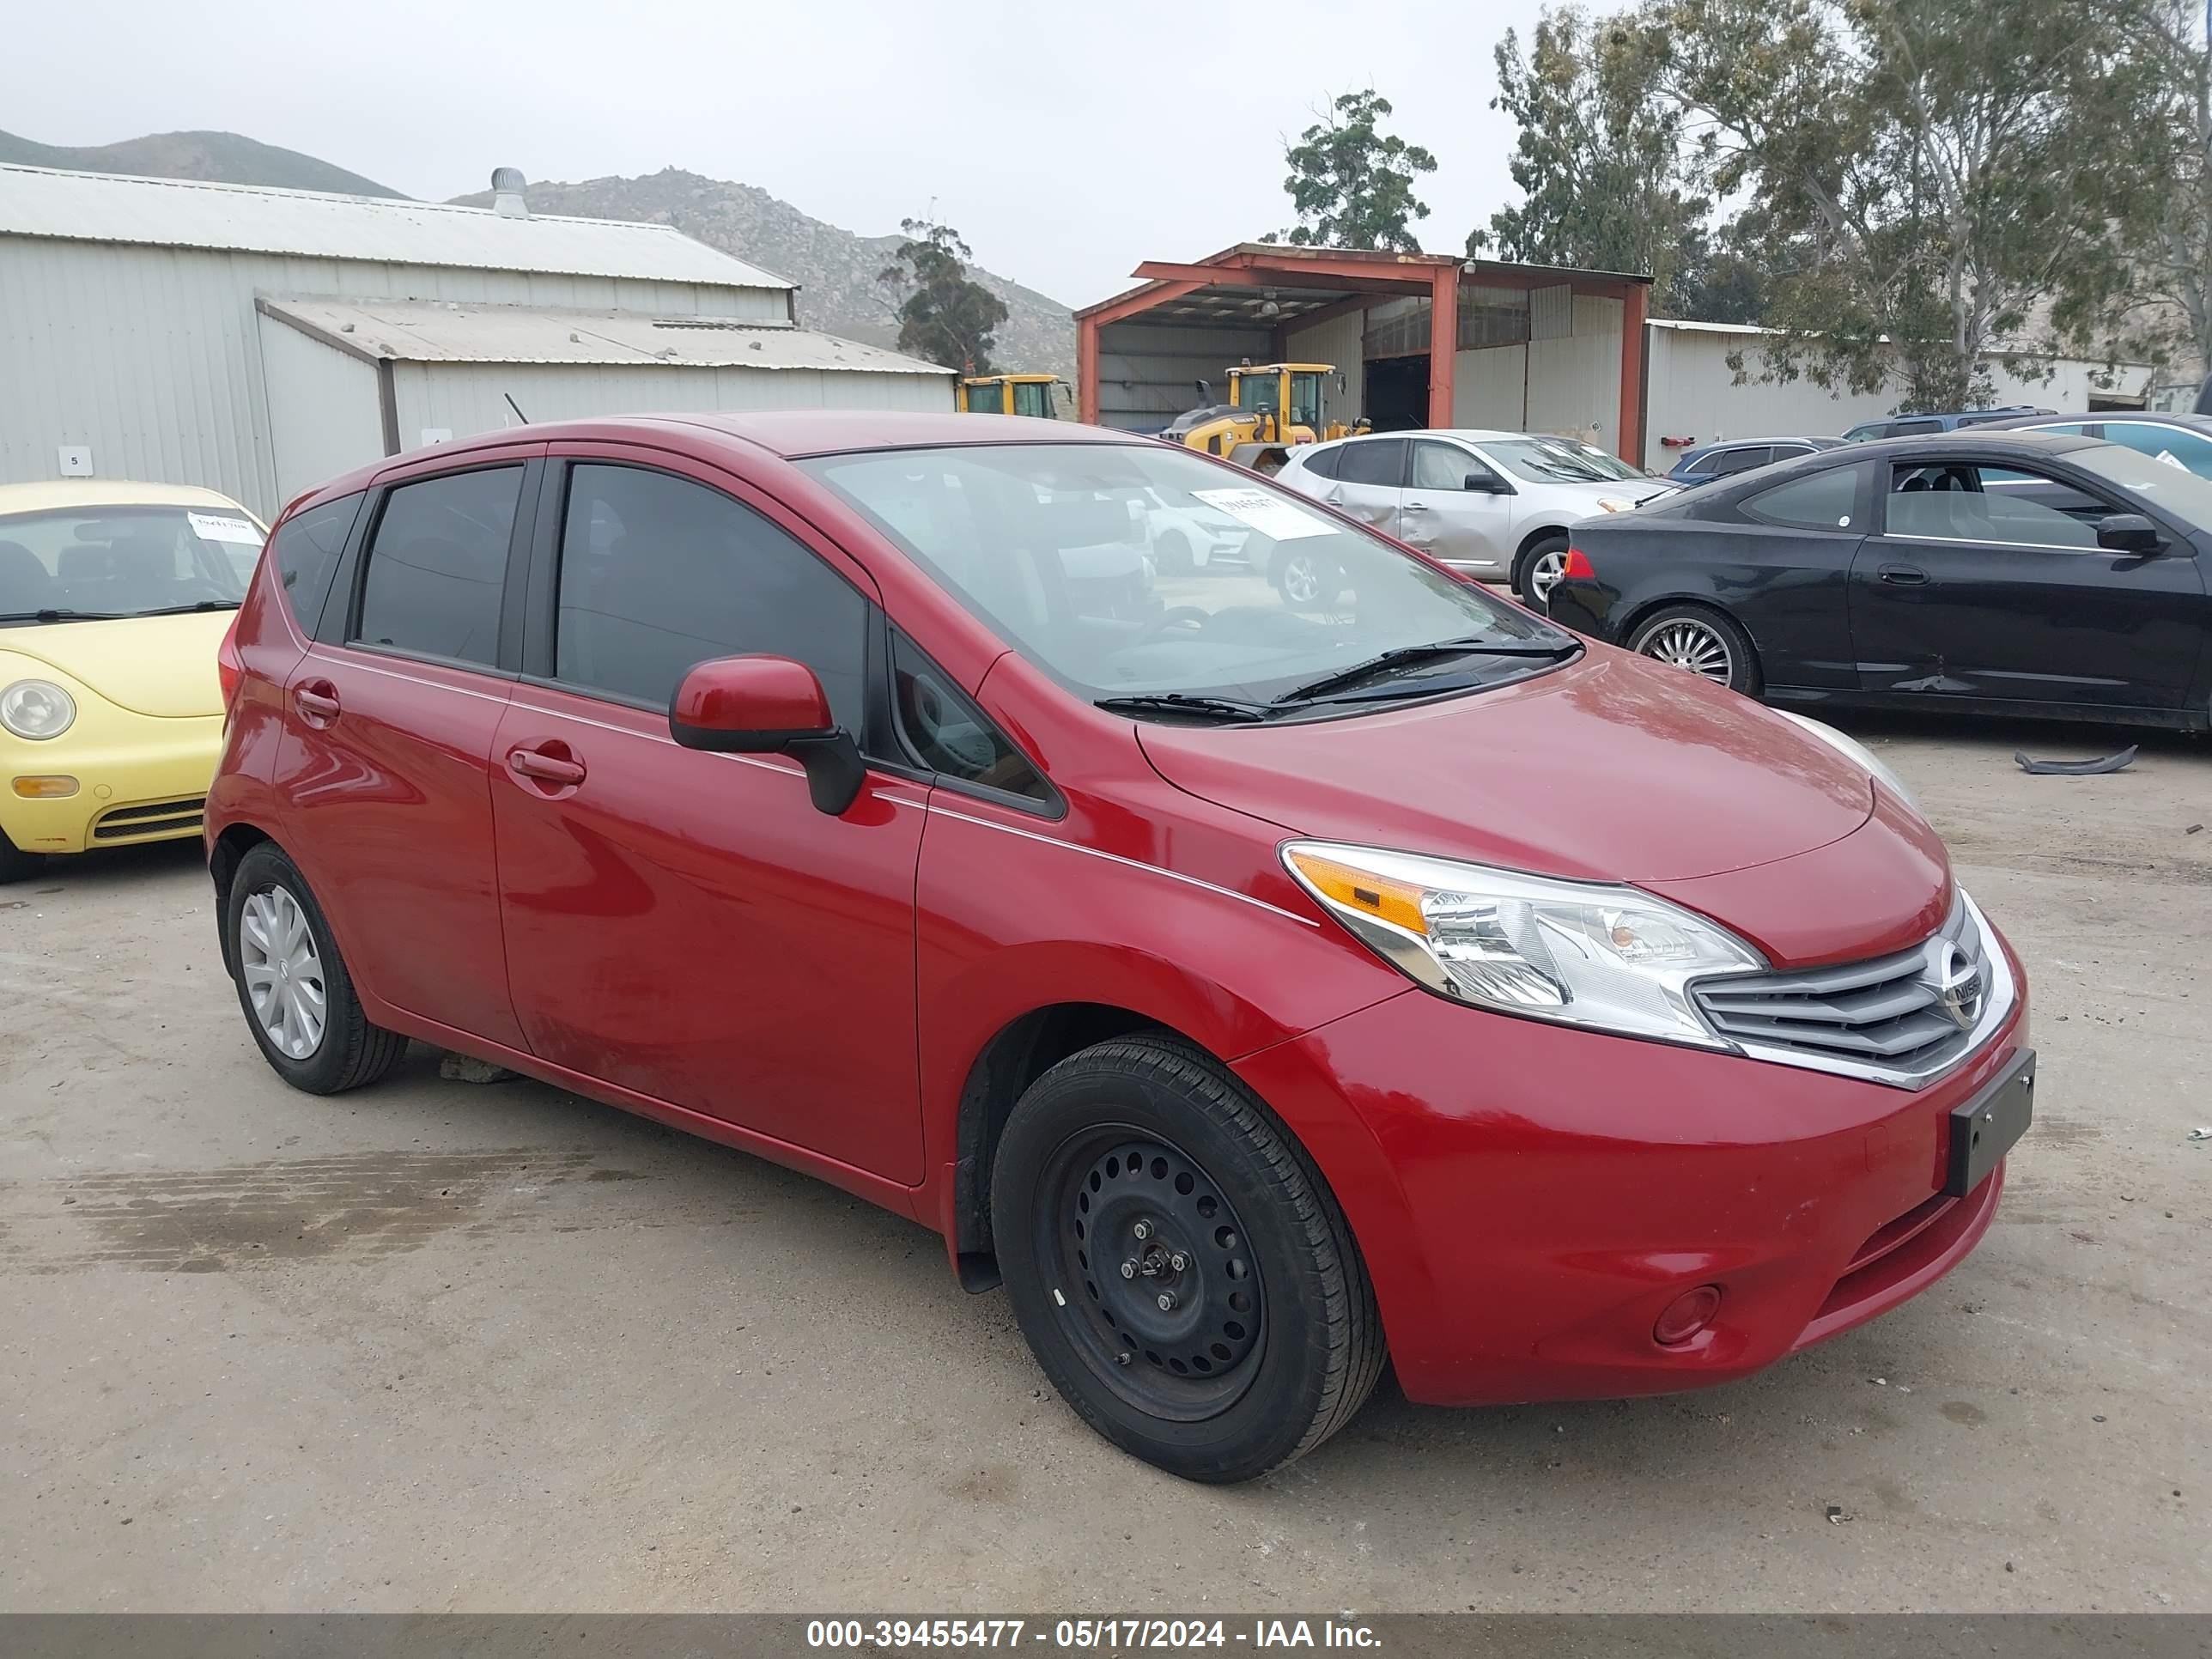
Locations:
column 154, row 355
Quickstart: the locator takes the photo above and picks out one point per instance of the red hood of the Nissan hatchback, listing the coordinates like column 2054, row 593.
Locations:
column 1611, row 769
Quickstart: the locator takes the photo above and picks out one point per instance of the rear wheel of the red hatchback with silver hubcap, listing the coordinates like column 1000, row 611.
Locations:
column 348, row 1052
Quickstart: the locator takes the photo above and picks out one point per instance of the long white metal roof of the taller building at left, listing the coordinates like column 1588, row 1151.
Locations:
column 194, row 213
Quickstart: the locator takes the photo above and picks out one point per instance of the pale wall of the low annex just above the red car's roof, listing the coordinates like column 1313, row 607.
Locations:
column 472, row 397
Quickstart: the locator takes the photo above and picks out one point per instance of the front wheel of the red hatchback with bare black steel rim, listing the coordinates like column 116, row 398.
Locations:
column 1273, row 1342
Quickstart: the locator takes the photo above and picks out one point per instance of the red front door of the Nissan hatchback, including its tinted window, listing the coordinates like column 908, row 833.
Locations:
column 689, row 926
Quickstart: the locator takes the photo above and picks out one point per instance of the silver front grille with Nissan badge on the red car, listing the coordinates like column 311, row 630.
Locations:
column 1897, row 1019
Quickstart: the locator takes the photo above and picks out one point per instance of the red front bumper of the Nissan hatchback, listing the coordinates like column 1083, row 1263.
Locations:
column 1543, row 1196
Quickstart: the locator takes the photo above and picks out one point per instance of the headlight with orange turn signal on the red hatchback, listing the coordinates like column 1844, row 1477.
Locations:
column 1583, row 954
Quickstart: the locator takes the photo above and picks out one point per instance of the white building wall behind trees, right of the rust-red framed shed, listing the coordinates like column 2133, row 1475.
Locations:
column 1695, row 395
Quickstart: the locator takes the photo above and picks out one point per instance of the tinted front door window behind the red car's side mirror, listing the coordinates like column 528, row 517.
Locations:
column 660, row 574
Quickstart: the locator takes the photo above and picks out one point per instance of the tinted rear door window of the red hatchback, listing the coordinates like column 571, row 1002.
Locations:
column 439, row 567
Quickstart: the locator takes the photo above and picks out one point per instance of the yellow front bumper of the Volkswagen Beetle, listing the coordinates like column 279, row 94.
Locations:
column 138, row 780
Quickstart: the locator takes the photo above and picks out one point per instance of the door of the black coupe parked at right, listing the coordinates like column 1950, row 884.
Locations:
column 1990, row 585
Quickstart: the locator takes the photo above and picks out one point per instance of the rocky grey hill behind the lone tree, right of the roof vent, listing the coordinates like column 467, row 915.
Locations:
column 835, row 269
